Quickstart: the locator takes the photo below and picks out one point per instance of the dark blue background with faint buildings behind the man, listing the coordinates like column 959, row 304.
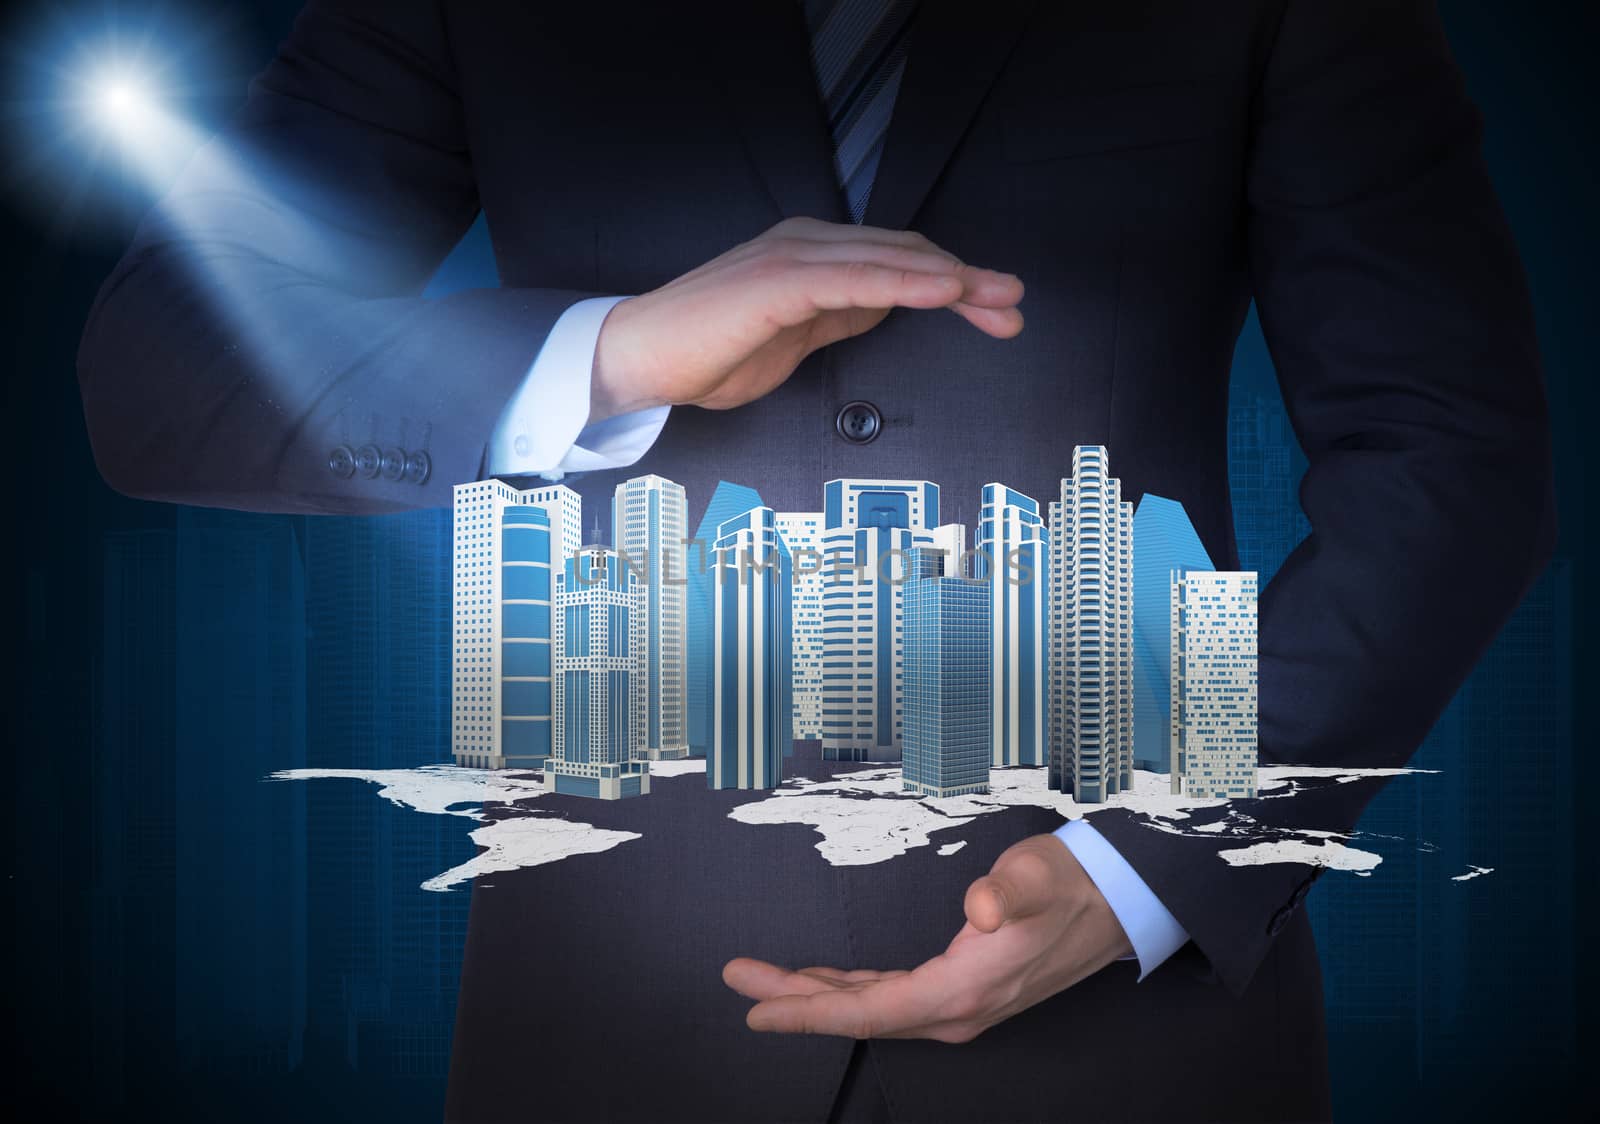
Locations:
column 199, row 944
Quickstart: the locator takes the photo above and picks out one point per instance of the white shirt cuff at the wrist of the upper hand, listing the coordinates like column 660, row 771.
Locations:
column 543, row 428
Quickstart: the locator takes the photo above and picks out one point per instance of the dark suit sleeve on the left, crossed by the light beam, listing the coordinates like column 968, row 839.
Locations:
column 271, row 310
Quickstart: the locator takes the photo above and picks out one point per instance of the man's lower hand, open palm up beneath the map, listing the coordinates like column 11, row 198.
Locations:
column 1036, row 925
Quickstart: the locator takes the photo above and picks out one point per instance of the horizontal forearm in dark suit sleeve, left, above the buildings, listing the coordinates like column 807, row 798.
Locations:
column 242, row 393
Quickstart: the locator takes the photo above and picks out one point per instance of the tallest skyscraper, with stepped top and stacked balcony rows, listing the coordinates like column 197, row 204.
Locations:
column 1092, row 632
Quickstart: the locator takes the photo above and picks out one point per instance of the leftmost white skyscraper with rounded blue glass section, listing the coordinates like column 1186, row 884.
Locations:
column 502, row 620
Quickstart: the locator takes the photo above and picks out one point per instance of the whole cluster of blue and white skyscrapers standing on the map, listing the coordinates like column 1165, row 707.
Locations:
column 1090, row 644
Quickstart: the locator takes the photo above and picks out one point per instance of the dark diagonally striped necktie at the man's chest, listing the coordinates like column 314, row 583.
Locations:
column 858, row 54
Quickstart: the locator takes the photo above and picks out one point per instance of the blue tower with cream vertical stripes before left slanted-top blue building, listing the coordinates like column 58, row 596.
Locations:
column 753, row 718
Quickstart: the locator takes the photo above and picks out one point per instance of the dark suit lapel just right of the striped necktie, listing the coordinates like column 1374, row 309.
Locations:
column 956, row 52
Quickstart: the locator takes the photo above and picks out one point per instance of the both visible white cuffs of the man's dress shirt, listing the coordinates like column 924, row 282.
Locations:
column 545, row 432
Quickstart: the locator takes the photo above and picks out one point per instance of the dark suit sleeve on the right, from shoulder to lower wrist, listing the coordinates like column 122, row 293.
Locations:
column 1398, row 316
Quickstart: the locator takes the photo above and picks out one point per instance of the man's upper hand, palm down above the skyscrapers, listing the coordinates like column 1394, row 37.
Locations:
column 737, row 327
